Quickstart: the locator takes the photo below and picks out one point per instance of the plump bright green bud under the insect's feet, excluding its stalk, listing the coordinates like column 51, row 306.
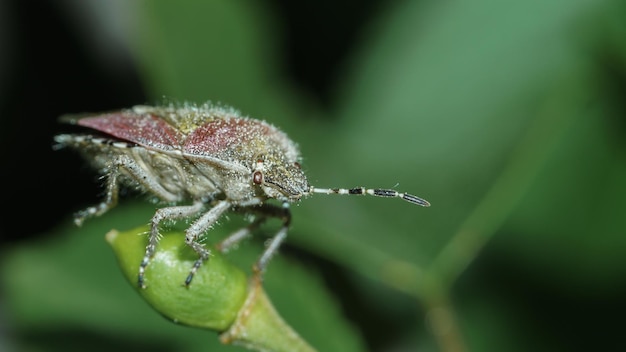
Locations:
column 212, row 302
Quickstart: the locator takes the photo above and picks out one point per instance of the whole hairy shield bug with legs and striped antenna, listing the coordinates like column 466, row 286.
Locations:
column 202, row 161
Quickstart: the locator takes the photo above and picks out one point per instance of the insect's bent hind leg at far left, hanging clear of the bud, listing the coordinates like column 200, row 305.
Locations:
column 119, row 164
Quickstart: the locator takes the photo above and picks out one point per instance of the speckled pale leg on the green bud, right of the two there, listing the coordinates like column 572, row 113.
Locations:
column 197, row 229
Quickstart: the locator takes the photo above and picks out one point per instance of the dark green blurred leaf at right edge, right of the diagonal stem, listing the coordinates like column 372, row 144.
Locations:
column 571, row 225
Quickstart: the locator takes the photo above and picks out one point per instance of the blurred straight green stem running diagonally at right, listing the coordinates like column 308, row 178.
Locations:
column 510, row 186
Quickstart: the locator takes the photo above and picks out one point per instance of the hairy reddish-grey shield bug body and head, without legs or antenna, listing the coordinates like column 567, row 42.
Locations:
column 195, row 153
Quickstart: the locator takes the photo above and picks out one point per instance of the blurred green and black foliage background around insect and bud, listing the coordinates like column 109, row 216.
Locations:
column 508, row 116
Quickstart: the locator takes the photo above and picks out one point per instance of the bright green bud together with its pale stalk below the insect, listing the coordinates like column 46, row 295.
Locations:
column 220, row 298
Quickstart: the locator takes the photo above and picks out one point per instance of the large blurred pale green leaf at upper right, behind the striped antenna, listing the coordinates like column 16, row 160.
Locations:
column 439, row 102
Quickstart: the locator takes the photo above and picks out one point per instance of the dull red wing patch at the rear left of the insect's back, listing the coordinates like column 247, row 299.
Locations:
column 146, row 130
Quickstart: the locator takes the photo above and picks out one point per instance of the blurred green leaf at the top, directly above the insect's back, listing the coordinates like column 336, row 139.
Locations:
column 219, row 51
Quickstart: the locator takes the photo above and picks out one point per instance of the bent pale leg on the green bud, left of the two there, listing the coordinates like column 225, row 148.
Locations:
column 170, row 213
